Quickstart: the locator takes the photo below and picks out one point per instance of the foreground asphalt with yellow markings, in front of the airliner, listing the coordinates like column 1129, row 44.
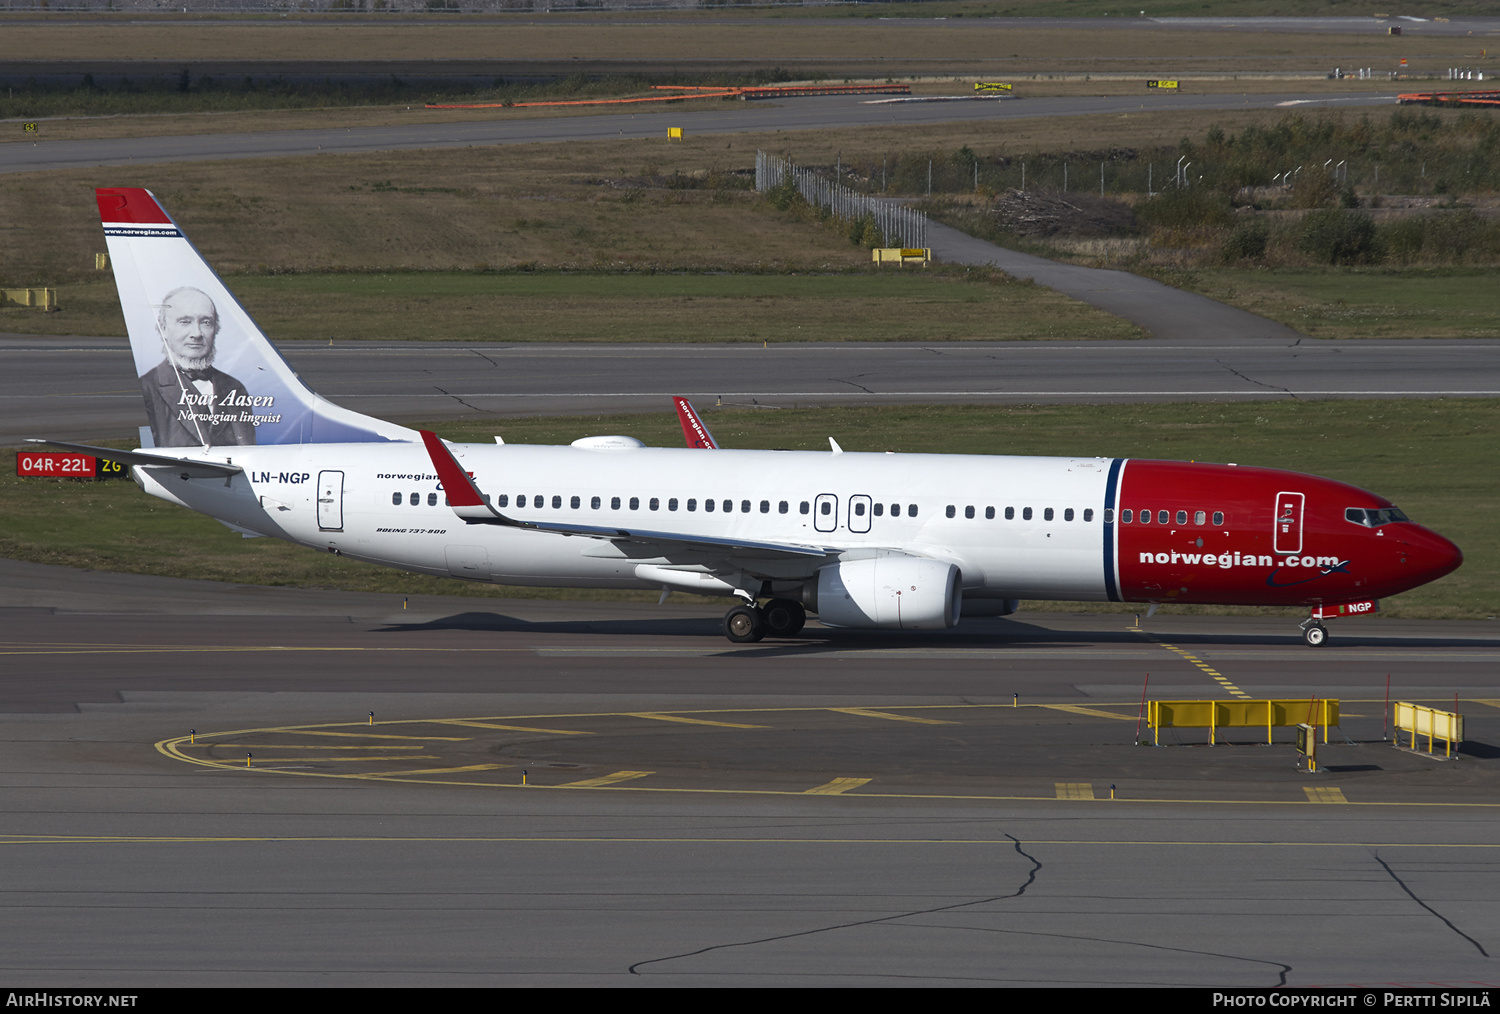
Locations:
column 232, row 785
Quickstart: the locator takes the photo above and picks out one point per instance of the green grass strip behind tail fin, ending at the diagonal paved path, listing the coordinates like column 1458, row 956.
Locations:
column 869, row 307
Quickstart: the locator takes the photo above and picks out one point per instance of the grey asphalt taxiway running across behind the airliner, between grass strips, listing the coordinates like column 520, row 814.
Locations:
column 85, row 389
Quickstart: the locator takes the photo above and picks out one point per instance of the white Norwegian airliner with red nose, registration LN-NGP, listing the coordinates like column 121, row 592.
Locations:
column 910, row 542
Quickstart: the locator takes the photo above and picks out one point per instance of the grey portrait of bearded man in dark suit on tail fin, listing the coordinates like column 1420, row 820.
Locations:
column 190, row 403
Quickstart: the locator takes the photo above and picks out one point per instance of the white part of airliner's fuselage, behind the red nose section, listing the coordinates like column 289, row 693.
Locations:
column 344, row 499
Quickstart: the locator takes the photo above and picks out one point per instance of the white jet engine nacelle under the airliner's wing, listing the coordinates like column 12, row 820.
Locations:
column 902, row 593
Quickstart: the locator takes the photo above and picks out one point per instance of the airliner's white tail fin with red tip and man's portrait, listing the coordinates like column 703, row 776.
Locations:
column 208, row 373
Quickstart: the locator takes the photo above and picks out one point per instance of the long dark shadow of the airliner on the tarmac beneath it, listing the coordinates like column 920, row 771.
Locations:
column 971, row 635
